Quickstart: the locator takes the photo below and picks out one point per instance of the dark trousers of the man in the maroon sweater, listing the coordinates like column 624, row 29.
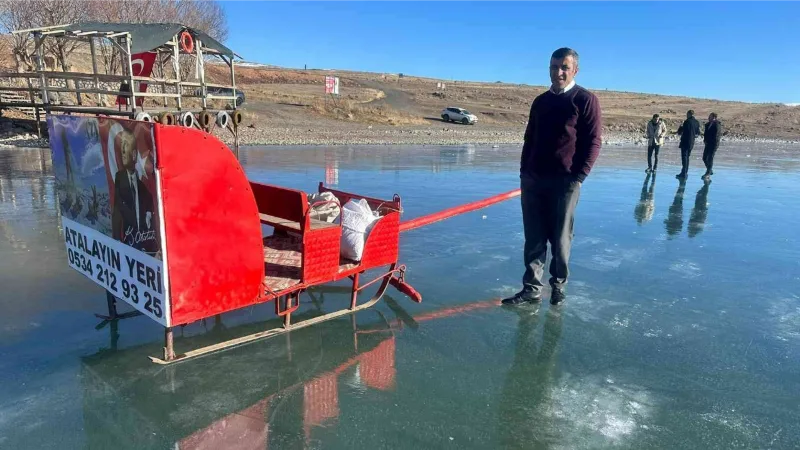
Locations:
column 548, row 215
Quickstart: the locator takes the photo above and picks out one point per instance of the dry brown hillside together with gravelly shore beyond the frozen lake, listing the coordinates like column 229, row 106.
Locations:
column 289, row 106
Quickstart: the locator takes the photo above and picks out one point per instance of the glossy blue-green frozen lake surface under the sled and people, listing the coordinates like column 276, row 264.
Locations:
column 681, row 330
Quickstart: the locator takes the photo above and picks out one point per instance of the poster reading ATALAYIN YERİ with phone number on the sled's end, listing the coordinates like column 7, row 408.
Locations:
column 105, row 180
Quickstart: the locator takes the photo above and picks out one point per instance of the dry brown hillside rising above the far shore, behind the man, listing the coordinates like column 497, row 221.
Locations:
column 295, row 95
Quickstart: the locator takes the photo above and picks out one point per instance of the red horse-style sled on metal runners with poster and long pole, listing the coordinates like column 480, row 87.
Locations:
column 209, row 254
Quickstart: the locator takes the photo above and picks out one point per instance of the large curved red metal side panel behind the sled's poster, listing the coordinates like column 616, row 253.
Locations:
column 215, row 255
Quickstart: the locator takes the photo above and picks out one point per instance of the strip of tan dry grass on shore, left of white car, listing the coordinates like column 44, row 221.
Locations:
column 355, row 112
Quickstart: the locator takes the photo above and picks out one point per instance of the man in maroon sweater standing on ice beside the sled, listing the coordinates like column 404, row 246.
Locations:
column 562, row 142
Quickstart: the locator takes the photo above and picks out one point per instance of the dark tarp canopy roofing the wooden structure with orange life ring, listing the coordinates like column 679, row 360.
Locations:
column 149, row 36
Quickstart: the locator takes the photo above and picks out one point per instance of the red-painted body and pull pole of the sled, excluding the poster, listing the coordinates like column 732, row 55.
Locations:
column 215, row 252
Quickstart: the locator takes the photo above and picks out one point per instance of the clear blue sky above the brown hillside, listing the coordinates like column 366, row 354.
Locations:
column 746, row 50
